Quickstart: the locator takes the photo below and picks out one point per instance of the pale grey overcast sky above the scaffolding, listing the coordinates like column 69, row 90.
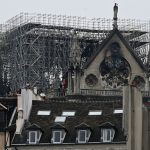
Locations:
column 132, row 9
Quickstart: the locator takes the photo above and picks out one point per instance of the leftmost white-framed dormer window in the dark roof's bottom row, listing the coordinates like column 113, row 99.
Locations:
column 34, row 137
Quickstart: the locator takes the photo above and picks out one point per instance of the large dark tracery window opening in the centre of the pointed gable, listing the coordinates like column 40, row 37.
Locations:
column 114, row 69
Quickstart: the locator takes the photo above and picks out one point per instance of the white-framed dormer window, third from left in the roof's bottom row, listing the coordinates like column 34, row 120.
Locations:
column 83, row 136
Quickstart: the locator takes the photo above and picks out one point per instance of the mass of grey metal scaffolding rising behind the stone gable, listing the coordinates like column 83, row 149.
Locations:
column 35, row 48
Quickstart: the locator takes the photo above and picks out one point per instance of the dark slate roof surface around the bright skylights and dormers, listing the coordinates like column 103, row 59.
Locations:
column 82, row 108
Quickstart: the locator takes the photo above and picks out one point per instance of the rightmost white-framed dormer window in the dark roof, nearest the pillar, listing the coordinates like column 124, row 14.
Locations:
column 107, row 135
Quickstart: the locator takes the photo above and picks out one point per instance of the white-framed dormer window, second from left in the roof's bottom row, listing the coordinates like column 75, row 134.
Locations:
column 58, row 136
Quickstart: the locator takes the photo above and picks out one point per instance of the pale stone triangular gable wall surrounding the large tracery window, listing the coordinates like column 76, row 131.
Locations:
column 93, row 67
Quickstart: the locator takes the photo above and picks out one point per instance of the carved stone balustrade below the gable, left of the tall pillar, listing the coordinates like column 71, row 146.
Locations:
column 101, row 92
